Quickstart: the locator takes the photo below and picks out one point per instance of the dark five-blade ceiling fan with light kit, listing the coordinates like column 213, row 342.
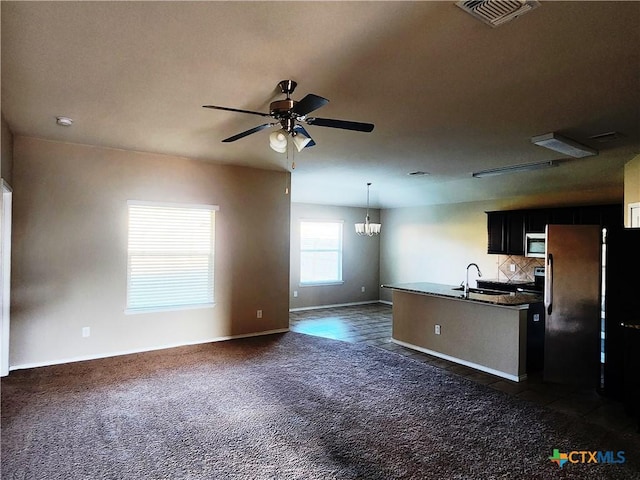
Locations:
column 289, row 113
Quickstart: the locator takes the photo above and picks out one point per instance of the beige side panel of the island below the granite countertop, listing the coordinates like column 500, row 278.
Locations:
column 490, row 336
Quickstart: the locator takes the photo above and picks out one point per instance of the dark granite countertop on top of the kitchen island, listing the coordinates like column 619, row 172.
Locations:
column 518, row 300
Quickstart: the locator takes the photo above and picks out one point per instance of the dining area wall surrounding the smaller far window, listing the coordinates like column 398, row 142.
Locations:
column 360, row 268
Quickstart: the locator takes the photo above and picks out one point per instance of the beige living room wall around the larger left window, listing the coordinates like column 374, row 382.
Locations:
column 70, row 250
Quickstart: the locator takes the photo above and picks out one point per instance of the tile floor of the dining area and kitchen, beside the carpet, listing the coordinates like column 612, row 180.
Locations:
column 371, row 324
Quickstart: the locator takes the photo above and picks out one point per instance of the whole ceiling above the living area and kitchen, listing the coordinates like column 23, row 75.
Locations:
column 448, row 94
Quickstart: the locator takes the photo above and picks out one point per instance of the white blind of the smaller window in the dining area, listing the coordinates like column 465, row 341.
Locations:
column 320, row 252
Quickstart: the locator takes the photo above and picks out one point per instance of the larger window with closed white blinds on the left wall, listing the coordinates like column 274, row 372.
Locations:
column 170, row 256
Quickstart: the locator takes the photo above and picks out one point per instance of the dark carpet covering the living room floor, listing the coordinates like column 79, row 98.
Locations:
column 285, row 406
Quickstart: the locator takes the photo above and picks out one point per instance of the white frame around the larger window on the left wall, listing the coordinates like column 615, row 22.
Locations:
column 129, row 309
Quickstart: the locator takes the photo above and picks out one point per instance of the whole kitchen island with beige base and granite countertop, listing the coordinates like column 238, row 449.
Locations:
column 485, row 330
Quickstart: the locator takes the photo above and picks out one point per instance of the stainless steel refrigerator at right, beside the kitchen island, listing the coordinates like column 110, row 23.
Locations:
column 573, row 277
